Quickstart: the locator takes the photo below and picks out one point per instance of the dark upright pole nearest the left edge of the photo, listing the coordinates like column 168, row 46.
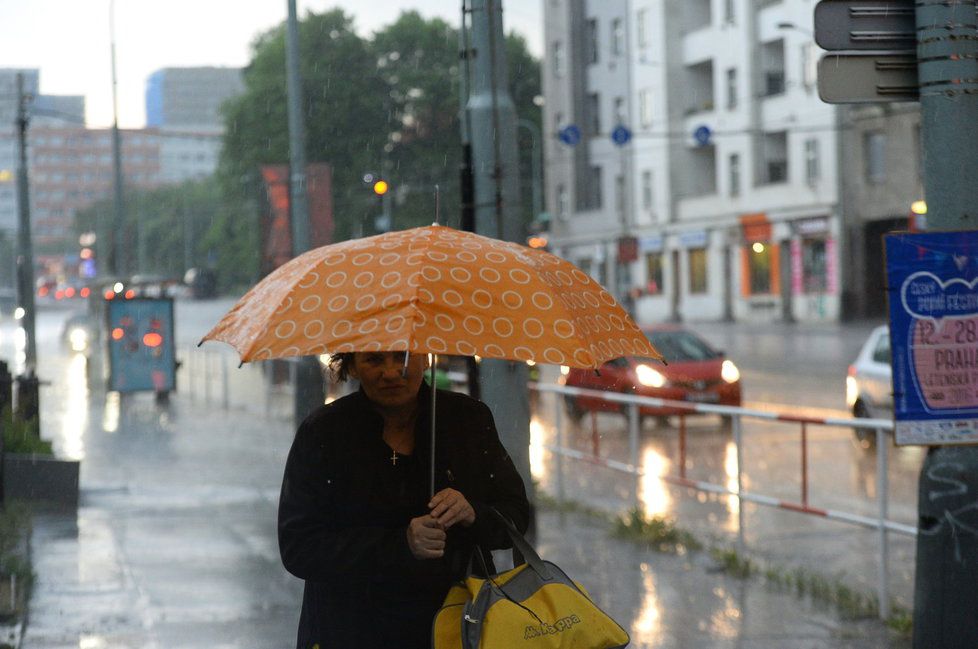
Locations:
column 25, row 243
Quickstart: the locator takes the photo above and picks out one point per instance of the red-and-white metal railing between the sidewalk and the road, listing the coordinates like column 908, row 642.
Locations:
column 803, row 506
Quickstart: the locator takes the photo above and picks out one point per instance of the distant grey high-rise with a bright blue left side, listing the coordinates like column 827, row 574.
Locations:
column 190, row 98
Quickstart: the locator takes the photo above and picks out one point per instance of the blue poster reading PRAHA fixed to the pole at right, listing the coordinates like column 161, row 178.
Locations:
column 933, row 285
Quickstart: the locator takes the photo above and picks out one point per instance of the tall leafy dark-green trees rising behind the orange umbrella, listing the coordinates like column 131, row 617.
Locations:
column 387, row 106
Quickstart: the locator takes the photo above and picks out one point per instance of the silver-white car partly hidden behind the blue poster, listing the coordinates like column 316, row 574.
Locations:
column 869, row 382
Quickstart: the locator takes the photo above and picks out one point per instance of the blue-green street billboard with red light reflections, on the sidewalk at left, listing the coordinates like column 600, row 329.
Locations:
column 141, row 345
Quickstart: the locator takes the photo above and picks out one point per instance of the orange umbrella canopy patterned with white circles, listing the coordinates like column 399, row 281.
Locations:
column 432, row 290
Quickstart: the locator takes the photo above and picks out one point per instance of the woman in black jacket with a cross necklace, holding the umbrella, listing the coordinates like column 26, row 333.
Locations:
column 356, row 519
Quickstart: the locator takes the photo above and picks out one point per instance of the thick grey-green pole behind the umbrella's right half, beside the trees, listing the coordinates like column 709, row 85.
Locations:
column 495, row 166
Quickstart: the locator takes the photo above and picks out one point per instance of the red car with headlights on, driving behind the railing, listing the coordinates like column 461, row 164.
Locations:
column 695, row 373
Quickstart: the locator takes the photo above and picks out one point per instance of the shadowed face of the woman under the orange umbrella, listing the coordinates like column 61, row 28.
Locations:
column 382, row 376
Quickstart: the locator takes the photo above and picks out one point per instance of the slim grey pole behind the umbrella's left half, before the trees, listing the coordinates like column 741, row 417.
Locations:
column 308, row 376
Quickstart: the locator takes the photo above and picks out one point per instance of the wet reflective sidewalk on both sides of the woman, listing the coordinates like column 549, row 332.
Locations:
column 174, row 545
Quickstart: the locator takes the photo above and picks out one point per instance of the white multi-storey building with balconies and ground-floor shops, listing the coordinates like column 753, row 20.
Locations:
column 724, row 201
